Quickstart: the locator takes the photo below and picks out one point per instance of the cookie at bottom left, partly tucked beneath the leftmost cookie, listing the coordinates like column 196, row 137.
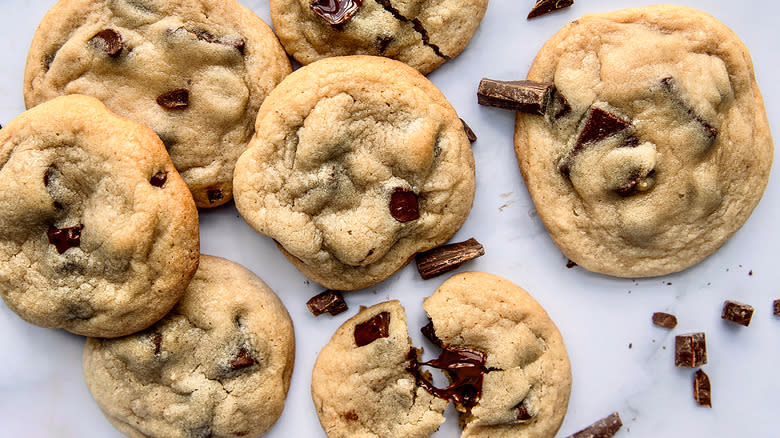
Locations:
column 218, row 365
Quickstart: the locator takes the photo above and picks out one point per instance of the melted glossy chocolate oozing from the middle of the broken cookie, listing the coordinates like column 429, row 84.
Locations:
column 465, row 367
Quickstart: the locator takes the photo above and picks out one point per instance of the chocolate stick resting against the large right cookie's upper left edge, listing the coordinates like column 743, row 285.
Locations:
column 524, row 96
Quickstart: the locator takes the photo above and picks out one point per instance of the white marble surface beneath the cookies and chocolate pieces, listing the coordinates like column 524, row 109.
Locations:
column 620, row 361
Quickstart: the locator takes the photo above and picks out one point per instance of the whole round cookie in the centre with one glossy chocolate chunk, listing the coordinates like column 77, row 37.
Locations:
column 357, row 164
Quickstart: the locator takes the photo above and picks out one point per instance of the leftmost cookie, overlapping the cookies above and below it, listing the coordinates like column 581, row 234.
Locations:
column 98, row 233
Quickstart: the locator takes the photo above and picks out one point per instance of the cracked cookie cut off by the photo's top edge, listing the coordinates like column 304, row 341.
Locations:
column 421, row 33
